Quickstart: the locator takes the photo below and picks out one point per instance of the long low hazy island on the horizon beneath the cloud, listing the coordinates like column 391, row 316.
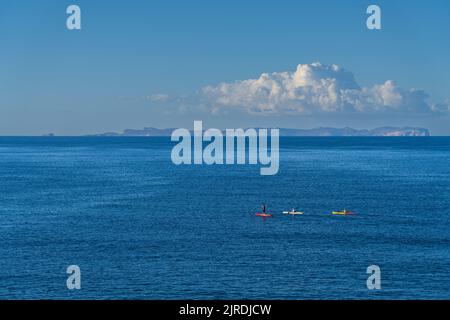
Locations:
column 317, row 132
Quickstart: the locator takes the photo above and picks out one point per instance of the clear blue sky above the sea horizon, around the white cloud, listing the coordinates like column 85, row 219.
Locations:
column 105, row 76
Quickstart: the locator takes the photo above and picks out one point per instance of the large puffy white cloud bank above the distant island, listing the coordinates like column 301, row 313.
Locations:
column 317, row 89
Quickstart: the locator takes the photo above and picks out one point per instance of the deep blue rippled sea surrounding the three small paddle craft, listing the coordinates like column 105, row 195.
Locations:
column 140, row 227
